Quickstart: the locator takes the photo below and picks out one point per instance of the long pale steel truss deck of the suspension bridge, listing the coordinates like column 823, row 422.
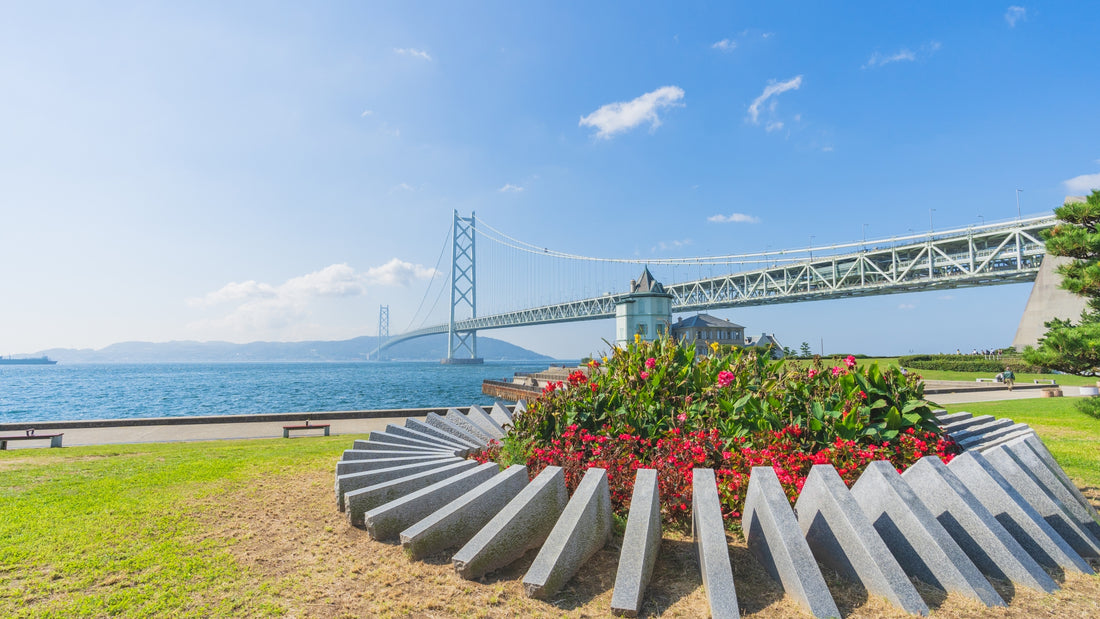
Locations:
column 983, row 256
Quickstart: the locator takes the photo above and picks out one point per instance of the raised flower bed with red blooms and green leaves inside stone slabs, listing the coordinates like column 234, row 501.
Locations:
column 655, row 405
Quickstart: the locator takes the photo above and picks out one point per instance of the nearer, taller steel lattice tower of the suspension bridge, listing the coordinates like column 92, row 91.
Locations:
column 464, row 292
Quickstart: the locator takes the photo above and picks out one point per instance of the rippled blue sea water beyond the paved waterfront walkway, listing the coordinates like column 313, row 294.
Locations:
column 52, row 393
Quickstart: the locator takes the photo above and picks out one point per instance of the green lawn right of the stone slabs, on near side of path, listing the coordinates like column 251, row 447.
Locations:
column 1072, row 437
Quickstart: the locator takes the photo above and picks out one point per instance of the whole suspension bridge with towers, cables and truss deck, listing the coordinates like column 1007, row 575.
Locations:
column 575, row 288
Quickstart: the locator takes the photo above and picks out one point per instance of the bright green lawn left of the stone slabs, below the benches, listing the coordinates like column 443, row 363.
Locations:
column 112, row 530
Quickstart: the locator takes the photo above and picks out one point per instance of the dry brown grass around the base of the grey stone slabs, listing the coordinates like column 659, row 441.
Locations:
column 289, row 534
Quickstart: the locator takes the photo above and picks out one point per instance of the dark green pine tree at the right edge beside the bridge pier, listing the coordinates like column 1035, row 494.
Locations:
column 1069, row 347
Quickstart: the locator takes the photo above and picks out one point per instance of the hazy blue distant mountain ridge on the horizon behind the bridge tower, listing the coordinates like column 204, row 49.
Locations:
column 432, row 348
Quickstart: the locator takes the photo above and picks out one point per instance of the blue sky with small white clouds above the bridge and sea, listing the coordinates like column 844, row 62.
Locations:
column 277, row 171
